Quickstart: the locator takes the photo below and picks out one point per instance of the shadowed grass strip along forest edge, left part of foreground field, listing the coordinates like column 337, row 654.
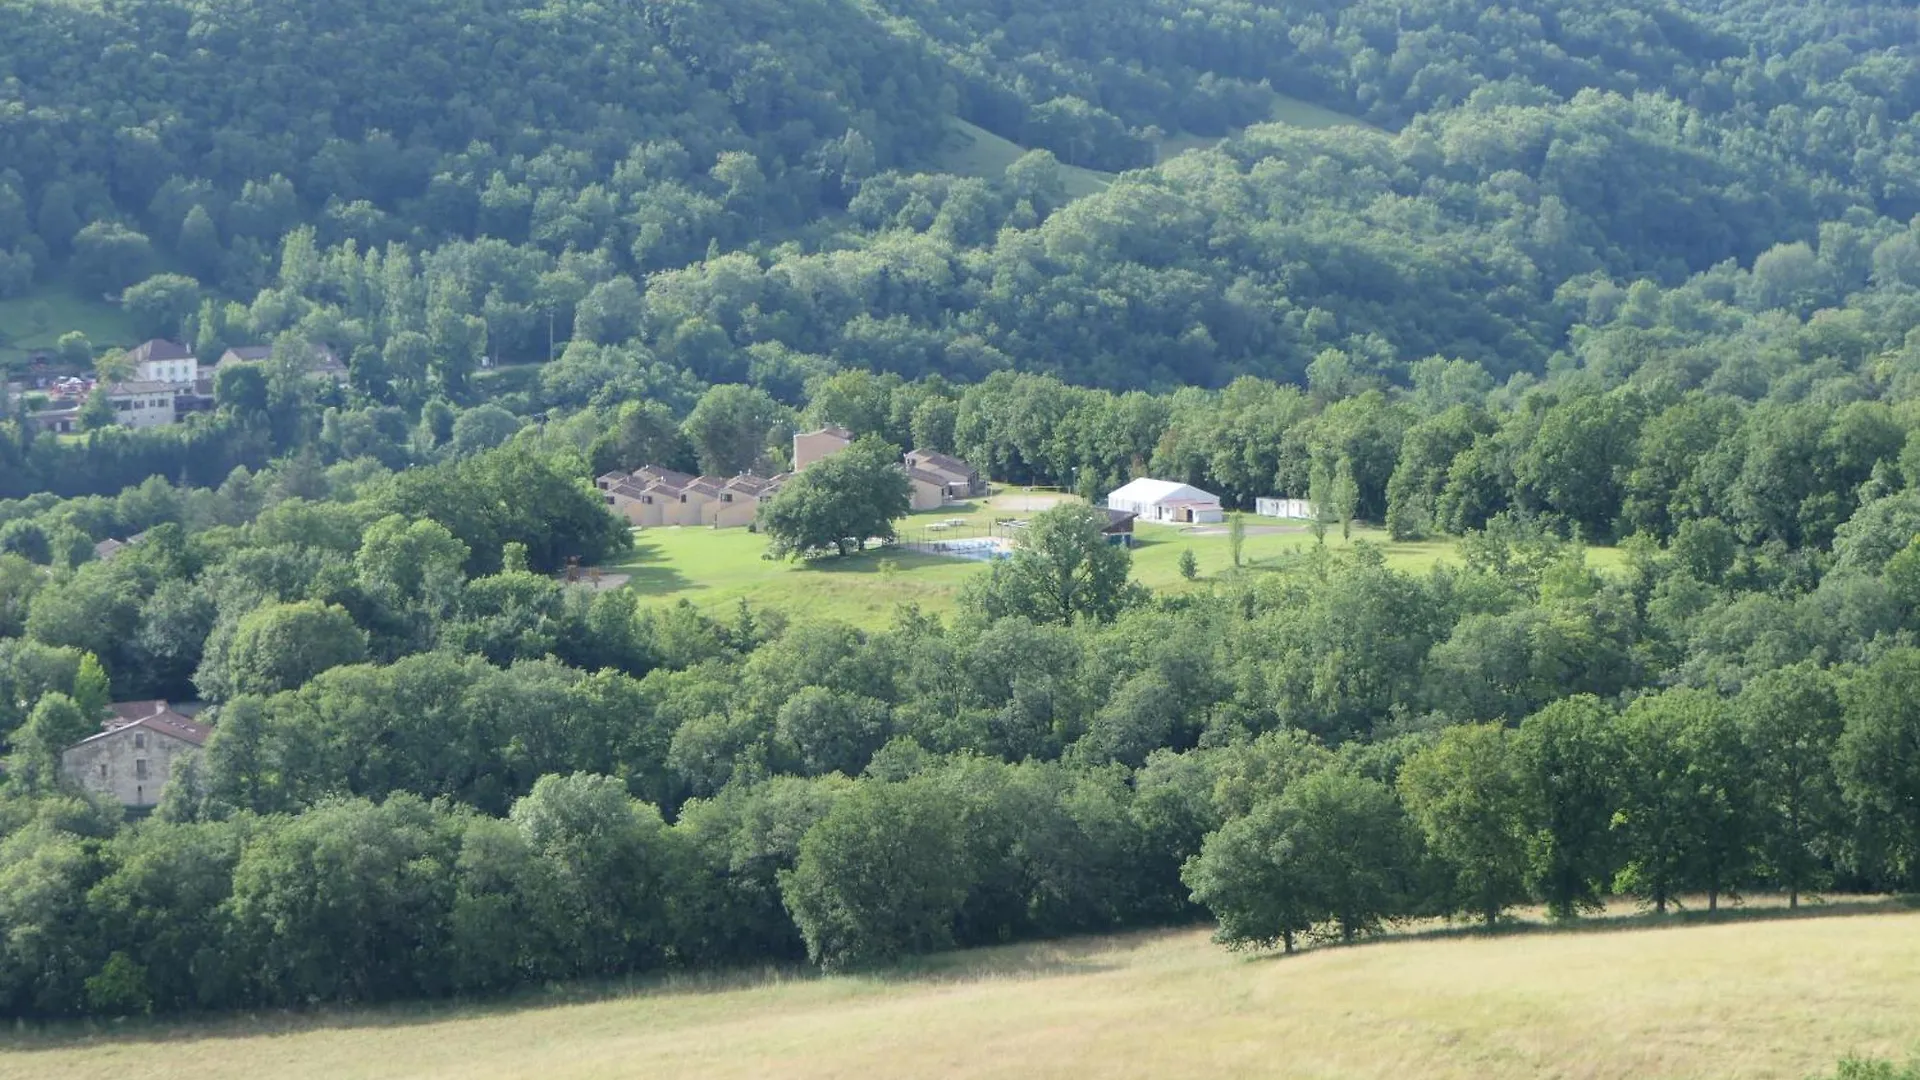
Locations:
column 1036, row 960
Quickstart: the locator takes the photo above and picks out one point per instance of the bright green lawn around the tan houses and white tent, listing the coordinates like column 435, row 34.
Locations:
column 719, row 568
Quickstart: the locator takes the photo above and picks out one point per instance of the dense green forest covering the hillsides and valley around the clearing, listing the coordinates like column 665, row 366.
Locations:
column 1641, row 274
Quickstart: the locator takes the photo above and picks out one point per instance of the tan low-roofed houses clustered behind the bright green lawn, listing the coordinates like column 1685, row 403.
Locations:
column 654, row 497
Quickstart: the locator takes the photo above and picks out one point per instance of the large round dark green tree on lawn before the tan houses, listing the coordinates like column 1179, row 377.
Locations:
column 840, row 503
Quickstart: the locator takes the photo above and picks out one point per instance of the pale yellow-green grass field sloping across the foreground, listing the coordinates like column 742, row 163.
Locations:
column 1764, row 1000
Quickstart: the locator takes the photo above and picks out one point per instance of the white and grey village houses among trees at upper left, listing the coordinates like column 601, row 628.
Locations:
column 168, row 383
